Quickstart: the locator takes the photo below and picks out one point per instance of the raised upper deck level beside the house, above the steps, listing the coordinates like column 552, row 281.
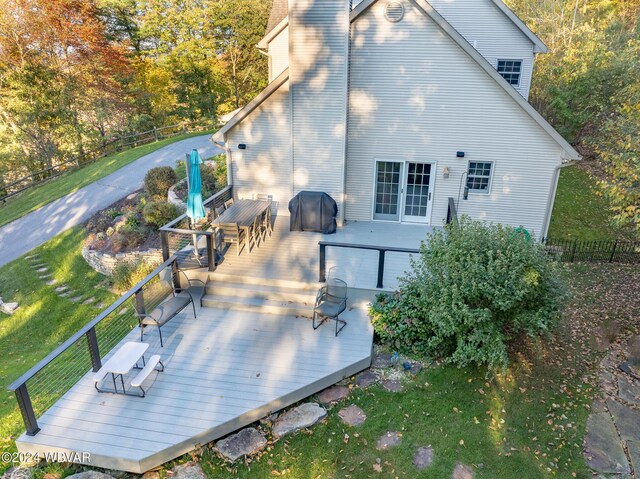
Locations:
column 294, row 256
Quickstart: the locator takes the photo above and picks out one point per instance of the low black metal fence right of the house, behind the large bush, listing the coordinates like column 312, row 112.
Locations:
column 573, row 251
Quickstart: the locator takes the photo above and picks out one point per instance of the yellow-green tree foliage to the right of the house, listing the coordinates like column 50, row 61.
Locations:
column 588, row 85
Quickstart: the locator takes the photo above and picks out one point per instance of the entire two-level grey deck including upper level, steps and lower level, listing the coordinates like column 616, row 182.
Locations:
column 231, row 367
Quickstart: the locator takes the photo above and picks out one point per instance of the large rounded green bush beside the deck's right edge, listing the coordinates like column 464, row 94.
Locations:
column 472, row 292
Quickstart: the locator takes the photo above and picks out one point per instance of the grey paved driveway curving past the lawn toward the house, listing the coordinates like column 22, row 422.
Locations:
column 33, row 229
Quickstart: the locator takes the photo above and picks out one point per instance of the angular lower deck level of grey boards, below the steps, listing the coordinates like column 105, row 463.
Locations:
column 223, row 370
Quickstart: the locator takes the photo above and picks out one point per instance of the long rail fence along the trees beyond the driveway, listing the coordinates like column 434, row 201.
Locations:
column 110, row 147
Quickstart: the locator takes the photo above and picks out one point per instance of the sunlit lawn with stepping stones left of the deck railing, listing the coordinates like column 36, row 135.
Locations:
column 44, row 320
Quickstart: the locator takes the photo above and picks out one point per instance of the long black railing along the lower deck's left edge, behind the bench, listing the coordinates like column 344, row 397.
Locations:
column 46, row 382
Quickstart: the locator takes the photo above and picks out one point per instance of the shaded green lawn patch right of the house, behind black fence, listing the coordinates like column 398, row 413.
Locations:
column 579, row 212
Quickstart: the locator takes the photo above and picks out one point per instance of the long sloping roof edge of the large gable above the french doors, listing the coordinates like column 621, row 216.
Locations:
column 428, row 10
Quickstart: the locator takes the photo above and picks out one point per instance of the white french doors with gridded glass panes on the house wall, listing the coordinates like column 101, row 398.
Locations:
column 403, row 191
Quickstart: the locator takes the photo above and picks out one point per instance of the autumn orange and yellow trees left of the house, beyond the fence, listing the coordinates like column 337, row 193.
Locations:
column 76, row 73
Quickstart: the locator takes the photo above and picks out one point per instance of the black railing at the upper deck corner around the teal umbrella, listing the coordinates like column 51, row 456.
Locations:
column 180, row 238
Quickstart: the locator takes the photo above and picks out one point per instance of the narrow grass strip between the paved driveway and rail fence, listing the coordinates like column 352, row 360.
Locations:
column 39, row 196
